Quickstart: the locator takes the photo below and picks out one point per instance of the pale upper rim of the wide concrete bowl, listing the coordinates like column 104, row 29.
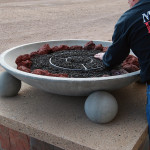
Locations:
column 15, row 70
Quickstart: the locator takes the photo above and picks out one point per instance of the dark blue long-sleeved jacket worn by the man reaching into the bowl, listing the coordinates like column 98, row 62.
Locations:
column 132, row 31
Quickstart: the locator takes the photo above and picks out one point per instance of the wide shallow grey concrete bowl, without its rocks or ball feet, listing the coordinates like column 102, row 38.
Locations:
column 60, row 85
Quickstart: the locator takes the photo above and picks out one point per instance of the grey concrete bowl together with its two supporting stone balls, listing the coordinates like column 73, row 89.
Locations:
column 100, row 106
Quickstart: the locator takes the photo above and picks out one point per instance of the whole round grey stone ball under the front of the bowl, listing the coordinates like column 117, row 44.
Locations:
column 101, row 107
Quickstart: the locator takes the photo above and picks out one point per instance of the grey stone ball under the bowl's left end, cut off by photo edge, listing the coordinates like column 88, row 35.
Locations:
column 9, row 85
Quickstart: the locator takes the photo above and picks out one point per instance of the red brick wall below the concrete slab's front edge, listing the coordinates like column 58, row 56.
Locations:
column 13, row 140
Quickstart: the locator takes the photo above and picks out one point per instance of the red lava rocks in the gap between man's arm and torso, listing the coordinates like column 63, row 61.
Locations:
column 131, row 60
